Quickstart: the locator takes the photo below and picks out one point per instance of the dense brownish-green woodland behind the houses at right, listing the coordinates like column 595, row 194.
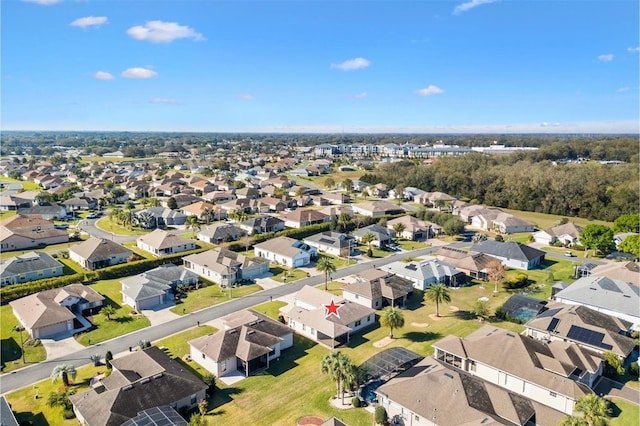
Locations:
column 590, row 190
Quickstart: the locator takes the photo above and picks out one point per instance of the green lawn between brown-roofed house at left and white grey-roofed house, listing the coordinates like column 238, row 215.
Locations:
column 122, row 322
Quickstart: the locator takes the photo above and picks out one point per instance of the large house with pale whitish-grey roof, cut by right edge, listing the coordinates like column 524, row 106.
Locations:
column 617, row 298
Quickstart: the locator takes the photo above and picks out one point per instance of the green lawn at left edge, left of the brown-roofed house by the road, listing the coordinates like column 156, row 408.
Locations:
column 10, row 351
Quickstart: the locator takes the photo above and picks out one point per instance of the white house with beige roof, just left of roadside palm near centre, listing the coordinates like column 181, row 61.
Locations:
column 286, row 251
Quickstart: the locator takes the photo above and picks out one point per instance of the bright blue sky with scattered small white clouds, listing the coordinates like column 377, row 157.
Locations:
column 477, row 66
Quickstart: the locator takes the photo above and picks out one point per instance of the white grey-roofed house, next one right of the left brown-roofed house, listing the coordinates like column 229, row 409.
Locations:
column 155, row 287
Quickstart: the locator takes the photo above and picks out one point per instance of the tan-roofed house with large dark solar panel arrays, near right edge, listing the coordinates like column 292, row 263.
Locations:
column 592, row 330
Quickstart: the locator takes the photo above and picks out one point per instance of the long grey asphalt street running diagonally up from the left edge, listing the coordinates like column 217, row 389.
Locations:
column 37, row 372
